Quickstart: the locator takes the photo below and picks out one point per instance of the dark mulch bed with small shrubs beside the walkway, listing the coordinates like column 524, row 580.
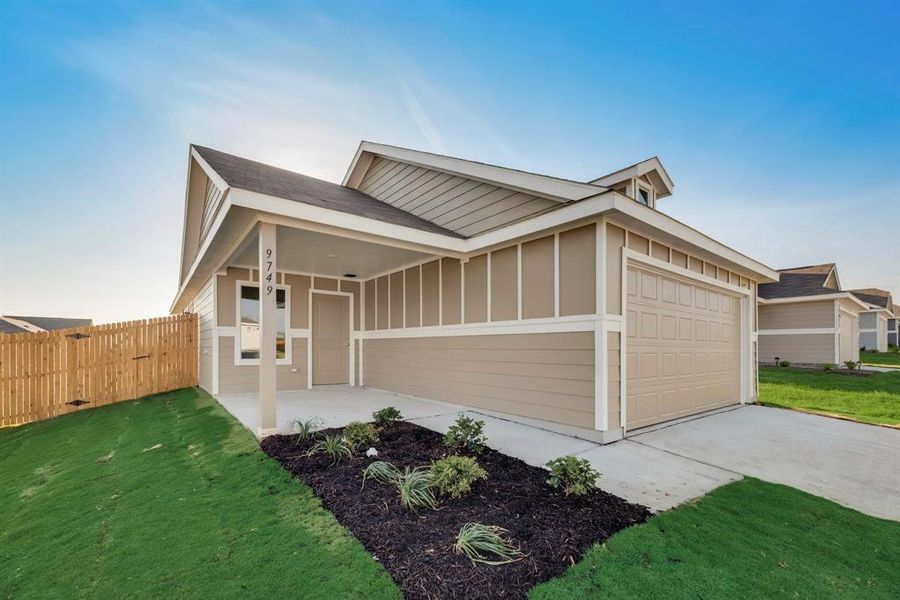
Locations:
column 416, row 549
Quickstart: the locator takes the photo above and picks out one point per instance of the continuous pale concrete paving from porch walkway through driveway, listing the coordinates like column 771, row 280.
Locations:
column 850, row 463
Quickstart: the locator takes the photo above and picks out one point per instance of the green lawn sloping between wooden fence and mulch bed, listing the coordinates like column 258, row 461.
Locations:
column 165, row 497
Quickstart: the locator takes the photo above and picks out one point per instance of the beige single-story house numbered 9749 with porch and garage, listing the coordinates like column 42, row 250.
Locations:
column 577, row 305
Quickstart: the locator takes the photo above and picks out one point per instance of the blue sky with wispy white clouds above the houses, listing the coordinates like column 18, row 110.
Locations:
column 779, row 123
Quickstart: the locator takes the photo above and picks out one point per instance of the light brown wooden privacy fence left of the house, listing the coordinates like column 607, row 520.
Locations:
column 43, row 375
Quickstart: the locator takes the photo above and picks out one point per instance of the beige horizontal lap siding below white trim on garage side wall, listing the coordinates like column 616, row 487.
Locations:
column 542, row 376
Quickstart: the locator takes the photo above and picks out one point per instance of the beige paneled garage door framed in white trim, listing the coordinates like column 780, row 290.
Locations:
column 683, row 348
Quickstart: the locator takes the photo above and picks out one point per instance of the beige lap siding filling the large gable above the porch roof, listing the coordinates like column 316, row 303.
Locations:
column 459, row 204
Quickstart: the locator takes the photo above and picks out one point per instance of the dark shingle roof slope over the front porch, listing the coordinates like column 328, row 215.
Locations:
column 258, row 177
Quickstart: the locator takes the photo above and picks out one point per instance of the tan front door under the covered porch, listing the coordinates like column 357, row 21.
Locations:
column 331, row 339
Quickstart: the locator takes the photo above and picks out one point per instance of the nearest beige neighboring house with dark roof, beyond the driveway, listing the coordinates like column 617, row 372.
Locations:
column 805, row 317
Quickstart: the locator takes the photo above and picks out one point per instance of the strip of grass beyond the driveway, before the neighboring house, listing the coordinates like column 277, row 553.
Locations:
column 874, row 399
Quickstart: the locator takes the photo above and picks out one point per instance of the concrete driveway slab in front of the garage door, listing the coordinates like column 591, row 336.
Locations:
column 853, row 464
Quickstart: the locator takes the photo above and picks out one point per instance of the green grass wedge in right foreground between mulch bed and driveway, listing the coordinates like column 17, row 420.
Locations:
column 749, row 539
